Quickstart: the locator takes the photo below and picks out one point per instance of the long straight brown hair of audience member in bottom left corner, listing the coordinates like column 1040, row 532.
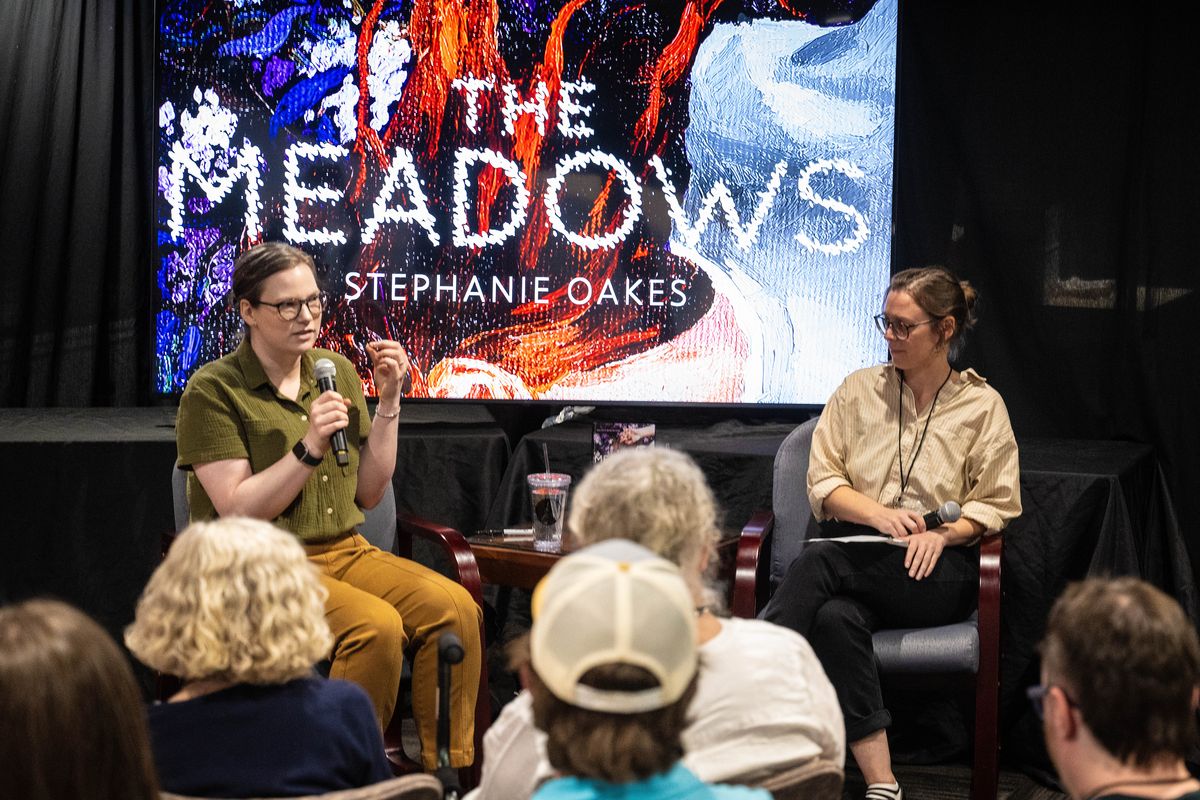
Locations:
column 73, row 724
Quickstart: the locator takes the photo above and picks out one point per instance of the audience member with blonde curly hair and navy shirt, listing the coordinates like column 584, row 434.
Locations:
column 238, row 613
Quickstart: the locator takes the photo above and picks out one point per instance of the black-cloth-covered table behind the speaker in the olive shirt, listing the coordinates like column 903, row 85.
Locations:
column 93, row 497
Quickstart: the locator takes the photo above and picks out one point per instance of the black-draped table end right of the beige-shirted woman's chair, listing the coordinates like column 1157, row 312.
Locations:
column 1090, row 509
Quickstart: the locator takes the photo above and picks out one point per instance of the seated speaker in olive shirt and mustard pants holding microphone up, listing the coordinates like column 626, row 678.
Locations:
column 255, row 431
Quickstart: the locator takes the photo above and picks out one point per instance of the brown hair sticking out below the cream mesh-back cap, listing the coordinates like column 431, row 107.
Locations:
column 611, row 748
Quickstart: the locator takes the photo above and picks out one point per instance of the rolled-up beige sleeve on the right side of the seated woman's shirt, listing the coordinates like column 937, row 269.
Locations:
column 994, row 477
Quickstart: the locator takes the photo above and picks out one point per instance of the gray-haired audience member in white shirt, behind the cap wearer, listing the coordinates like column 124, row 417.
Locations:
column 659, row 498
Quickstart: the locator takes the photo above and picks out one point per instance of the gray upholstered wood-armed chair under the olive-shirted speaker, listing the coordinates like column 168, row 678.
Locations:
column 394, row 532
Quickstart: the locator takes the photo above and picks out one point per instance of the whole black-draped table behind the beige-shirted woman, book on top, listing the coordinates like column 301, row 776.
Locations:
column 1090, row 508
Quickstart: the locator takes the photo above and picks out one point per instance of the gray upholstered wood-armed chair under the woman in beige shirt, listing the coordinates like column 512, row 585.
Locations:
column 772, row 540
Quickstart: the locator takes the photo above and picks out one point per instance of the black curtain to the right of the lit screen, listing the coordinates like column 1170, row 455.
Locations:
column 1048, row 154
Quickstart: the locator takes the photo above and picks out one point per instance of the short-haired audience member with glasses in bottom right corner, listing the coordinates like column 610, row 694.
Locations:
column 1120, row 688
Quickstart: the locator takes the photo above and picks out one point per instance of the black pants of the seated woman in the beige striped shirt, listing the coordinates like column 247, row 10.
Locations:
column 837, row 594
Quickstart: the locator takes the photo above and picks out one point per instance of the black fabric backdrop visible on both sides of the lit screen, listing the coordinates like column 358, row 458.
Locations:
column 1047, row 155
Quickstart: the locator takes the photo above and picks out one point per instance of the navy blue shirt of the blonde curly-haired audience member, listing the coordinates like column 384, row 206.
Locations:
column 305, row 737
